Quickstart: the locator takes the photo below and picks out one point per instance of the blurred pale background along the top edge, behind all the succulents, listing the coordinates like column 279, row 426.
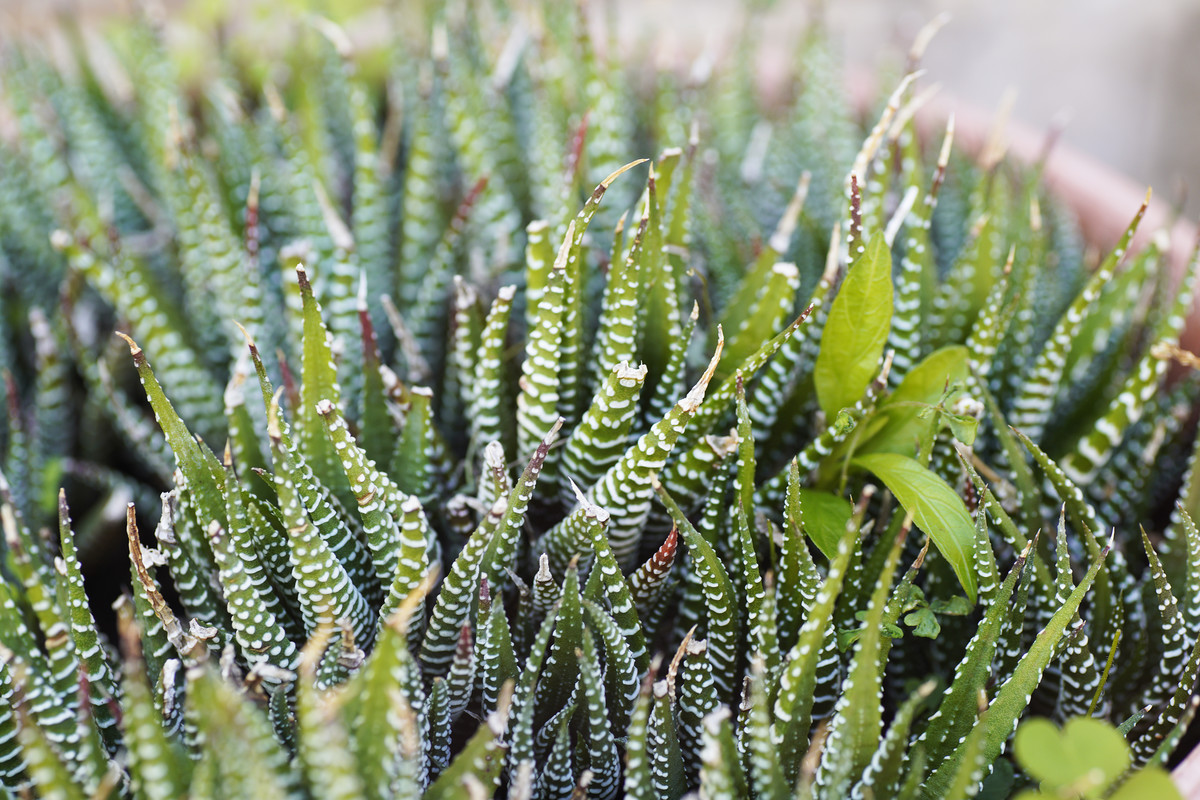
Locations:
column 1125, row 75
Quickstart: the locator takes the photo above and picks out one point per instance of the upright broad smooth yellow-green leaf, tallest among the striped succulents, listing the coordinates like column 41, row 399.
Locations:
column 856, row 332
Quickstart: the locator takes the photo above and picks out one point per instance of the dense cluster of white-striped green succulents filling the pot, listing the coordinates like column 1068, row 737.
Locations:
column 796, row 460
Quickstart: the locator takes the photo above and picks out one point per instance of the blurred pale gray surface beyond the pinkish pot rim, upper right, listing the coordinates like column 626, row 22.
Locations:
column 1129, row 73
